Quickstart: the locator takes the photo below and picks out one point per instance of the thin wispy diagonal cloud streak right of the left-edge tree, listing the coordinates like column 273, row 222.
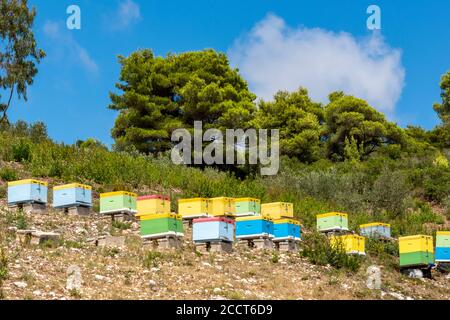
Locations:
column 64, row 40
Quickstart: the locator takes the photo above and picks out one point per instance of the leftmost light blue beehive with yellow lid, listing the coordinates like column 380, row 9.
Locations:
column 27, row 191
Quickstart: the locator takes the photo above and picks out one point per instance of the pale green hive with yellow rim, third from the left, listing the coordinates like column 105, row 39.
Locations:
column 118, row 202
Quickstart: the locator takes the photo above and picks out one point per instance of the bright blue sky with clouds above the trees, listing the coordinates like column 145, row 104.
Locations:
column 71, row 91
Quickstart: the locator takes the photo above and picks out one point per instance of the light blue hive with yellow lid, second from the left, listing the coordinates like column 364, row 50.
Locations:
column 72, row 195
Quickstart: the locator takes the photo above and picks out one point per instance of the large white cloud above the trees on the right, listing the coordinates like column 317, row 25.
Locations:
column 273, row 56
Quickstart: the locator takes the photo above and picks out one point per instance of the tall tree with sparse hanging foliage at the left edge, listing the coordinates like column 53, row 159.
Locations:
column 18, row 52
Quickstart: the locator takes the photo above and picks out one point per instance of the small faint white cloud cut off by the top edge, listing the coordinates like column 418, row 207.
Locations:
column 127, row 13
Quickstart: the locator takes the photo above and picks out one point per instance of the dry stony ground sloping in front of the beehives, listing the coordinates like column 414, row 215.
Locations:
column 75, row 268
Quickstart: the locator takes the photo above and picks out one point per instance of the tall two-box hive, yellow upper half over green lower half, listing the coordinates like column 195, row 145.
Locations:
column 416, row 251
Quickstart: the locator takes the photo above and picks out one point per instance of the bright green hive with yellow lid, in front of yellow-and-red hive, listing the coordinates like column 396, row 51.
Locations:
column 155, row 226
